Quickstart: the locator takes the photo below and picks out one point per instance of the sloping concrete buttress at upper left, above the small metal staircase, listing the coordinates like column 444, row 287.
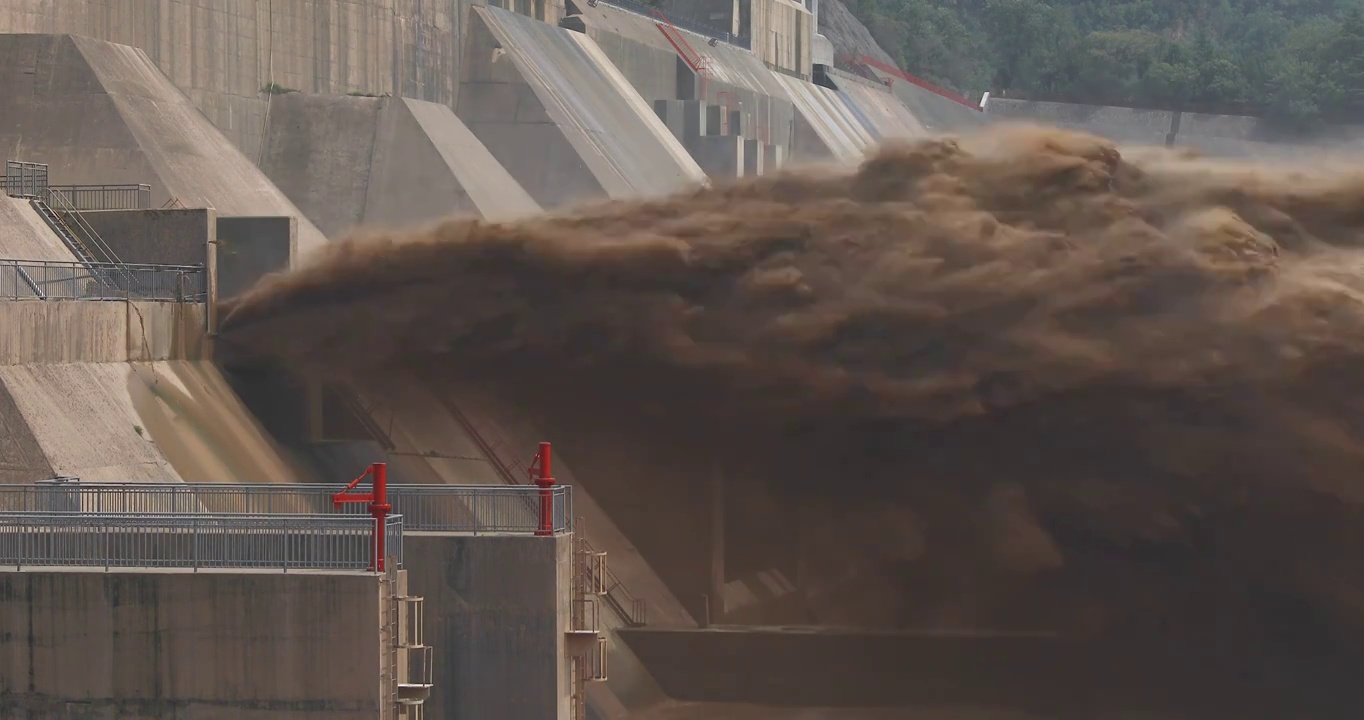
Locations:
column 99, row 112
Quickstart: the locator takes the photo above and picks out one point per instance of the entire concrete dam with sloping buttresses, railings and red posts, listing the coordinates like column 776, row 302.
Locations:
column 212, row 537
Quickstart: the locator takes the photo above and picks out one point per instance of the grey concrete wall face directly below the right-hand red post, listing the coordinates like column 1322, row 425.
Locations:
column 499, row 610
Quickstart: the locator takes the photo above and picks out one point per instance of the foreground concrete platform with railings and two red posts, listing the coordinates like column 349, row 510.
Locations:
column 278, row 538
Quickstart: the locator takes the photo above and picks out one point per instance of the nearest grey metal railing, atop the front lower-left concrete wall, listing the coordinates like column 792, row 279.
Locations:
column 193, row 542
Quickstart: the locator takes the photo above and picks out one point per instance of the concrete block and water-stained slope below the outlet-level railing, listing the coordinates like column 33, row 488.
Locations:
column 114, row 392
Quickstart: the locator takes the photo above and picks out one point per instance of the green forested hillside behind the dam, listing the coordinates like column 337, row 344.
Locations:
column 1299, row 62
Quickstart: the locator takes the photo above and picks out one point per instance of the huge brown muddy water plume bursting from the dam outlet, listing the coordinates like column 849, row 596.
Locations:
column 1155, row 351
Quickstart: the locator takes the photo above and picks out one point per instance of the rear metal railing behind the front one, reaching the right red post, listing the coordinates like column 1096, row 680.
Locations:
column 466, row 509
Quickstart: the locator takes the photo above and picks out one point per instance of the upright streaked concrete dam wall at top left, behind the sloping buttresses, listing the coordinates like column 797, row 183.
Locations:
column 224, row 52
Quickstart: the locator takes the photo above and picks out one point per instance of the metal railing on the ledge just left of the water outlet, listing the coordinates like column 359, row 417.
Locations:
column 53, row 280
